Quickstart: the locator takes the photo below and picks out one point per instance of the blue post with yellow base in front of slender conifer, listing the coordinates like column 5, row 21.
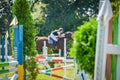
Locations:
column 18, row 49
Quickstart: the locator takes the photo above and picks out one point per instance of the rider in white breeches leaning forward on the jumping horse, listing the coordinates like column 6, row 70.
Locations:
column 56, row 34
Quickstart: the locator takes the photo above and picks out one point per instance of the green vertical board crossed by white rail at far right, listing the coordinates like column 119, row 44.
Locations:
column 115, row 41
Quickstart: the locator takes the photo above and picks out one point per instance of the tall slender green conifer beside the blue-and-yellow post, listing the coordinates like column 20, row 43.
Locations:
column 21, row 9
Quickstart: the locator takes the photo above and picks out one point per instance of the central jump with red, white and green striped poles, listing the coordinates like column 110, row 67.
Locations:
column 44, row 58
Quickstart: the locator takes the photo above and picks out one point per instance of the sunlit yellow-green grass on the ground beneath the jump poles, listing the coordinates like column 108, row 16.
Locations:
column 69, row 74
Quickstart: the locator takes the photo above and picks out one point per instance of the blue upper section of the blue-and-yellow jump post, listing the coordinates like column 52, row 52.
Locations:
column 18, row 43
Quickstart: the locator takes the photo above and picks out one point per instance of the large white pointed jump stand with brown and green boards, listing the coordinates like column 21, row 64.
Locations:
column 104, row 44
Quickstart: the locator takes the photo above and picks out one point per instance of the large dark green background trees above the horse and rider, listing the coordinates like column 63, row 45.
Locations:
column 66, row 13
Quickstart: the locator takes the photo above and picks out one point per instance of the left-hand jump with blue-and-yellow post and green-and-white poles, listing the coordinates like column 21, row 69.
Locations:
column 17, row 63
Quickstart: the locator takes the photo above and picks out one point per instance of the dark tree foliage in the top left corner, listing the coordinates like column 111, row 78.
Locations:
column 5, row 15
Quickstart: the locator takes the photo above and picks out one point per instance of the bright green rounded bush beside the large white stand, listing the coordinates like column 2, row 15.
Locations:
column 84, row 44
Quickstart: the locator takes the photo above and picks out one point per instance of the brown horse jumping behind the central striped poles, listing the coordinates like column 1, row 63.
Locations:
column 60, row 44
